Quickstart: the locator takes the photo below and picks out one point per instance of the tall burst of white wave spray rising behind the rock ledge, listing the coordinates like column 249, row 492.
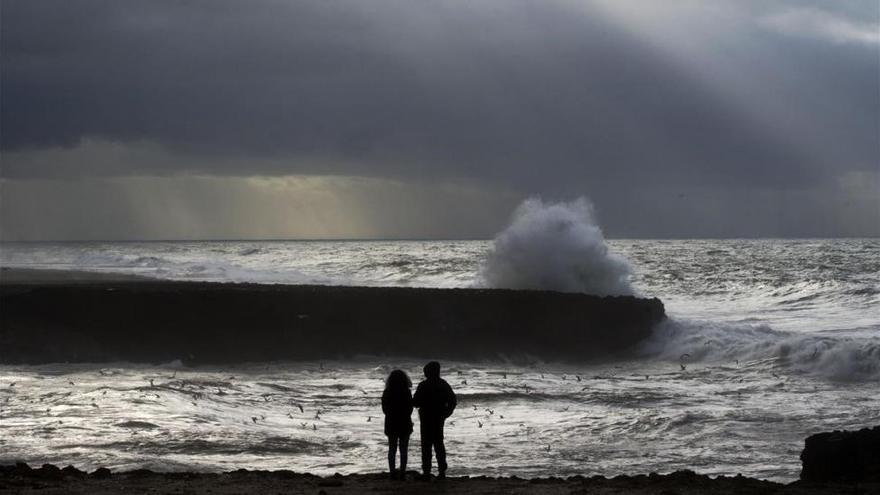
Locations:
column 556, row 246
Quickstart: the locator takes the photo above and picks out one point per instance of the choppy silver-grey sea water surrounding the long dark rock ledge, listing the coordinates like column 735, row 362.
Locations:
column 782, row 339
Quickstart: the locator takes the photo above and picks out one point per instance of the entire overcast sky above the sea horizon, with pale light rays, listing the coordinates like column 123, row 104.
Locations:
column 399, row 118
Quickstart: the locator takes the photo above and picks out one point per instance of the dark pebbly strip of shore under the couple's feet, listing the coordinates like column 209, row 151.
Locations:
column 50, row 479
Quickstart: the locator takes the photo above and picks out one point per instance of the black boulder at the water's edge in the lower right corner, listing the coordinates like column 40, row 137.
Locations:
column 842, row 456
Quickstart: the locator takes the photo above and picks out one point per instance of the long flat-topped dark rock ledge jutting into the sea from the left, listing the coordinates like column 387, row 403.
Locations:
column 157, row 321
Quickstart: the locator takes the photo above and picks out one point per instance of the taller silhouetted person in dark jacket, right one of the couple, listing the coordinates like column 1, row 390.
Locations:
column 436, row 401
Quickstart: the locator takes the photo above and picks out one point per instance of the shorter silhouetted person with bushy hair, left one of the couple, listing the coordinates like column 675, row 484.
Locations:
column 397, row 404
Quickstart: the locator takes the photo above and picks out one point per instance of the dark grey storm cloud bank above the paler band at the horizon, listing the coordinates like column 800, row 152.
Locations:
column 545, row 96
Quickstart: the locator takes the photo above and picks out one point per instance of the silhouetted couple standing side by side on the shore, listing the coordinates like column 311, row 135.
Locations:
column 435, row 400
